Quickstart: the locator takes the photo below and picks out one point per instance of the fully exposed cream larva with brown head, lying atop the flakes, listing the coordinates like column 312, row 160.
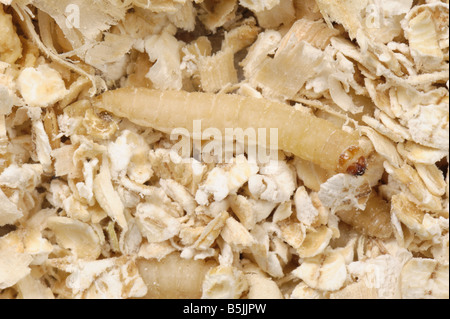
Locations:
column 304, row 135
